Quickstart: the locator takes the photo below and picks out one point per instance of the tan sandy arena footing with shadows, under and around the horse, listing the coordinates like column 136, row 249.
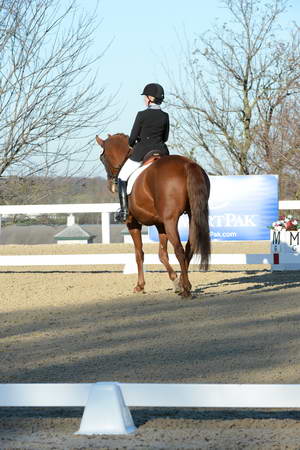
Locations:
column 84, row 324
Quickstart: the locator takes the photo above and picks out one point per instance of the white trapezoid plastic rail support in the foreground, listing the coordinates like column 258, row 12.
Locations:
column 106, row 412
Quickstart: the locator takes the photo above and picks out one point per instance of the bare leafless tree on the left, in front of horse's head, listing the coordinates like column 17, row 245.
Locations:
column 49, row 105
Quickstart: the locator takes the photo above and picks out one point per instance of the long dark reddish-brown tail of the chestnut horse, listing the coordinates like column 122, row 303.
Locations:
column 198, row 188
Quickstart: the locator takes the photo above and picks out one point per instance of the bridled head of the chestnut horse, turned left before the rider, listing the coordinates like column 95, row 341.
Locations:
column 115, row 151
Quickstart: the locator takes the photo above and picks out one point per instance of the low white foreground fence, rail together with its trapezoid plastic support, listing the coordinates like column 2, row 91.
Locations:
column 106, row 405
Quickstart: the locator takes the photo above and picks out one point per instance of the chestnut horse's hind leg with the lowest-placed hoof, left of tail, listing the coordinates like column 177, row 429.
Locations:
column 173, row 236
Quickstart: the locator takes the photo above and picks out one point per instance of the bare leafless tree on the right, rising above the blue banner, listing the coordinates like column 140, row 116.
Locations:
column 232, row 85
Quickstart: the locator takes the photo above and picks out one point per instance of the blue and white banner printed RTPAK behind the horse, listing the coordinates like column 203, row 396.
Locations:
column 240, row 208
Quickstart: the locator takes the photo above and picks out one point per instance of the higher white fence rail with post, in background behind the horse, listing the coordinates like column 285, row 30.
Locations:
column 99, row 208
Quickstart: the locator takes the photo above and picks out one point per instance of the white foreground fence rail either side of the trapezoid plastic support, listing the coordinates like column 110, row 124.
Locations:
column 155, row 395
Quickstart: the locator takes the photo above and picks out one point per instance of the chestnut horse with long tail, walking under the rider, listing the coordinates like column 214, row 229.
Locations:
column 169, row 187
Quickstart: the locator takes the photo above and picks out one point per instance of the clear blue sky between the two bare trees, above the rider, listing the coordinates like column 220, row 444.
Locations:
column 144, row 35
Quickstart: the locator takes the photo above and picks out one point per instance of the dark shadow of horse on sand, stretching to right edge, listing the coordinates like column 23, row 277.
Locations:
column 254, row 282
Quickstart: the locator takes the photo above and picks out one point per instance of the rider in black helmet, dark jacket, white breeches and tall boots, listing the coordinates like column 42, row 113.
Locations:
column 150, row 131
